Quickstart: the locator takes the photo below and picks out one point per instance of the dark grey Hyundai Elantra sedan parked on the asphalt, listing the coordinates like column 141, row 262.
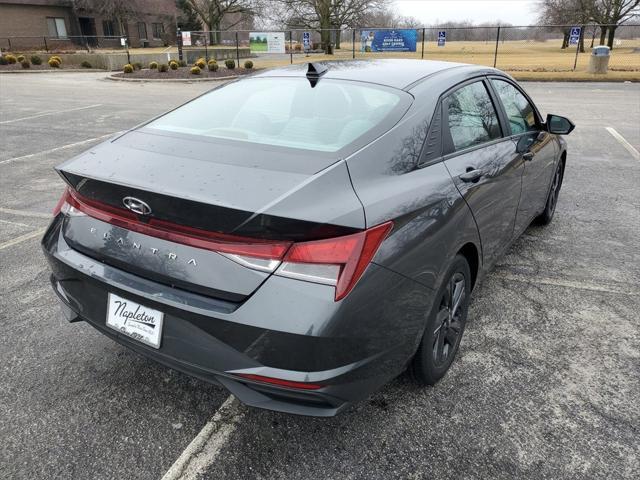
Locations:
column 304, row 235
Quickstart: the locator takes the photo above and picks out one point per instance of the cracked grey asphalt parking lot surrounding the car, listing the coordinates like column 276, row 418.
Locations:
column 546, row 384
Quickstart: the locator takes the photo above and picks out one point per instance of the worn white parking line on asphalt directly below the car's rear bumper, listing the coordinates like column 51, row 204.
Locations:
column 205, row 447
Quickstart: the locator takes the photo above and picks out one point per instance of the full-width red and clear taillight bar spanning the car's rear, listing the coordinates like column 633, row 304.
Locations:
column 338, row 261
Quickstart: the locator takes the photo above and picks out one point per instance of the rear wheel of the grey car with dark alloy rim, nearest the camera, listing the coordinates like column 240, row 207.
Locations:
column 444, row 328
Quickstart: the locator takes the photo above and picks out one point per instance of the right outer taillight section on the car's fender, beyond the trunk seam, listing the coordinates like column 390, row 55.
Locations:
column 337, row 261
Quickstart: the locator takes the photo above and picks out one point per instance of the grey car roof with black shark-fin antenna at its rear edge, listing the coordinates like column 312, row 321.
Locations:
column 396, row 73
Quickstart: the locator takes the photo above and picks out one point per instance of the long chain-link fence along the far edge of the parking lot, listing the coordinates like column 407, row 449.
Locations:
column 527, row 48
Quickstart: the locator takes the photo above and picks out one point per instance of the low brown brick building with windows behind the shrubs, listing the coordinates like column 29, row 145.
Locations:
column 65, row 22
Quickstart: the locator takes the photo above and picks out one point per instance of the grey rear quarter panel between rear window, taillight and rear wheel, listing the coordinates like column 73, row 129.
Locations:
column 432, row 220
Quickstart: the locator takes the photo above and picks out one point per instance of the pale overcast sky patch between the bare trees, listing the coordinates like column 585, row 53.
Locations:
column 516, row 12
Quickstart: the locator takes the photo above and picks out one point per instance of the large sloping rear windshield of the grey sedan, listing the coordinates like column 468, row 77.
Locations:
column 285, row 112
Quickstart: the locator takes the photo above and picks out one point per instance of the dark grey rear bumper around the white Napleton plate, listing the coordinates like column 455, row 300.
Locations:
column 287, row 329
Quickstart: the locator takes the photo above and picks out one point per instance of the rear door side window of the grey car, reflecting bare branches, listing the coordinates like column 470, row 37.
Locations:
column 472, row 118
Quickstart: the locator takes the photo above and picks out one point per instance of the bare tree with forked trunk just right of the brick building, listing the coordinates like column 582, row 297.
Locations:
column 212, row 12
